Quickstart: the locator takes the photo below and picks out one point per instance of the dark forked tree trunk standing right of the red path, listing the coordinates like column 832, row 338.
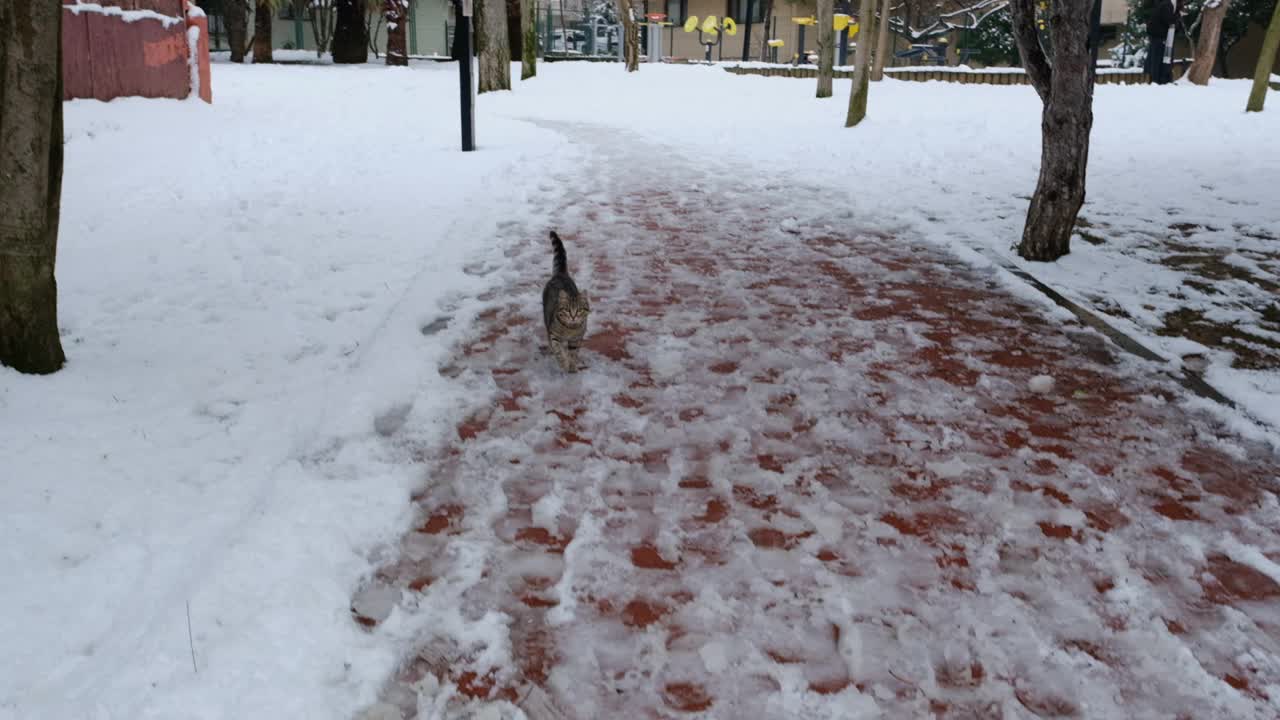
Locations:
column 1067, row 92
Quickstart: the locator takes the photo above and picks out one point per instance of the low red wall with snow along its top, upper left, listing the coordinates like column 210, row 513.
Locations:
column 135, row 48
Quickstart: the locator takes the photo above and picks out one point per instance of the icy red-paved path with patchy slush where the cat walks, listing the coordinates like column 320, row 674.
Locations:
column 817, row 473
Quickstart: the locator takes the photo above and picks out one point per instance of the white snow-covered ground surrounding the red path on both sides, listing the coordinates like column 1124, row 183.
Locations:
column 244, row 289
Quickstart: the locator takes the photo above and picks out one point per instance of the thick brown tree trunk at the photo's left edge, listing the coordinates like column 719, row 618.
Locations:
column 31, row 184
